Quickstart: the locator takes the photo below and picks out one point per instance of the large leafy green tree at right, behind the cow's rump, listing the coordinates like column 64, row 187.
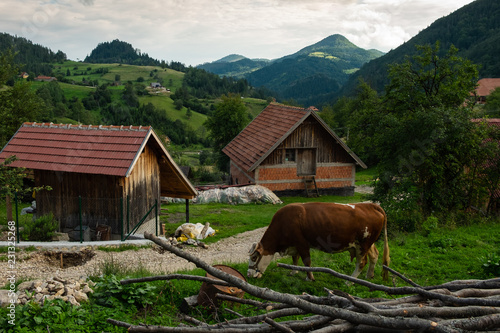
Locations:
column 425, row 137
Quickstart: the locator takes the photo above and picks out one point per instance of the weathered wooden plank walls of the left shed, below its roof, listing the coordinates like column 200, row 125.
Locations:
column 101, row 195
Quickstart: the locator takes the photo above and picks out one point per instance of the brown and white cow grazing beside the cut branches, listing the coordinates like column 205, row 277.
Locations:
column 329, row 227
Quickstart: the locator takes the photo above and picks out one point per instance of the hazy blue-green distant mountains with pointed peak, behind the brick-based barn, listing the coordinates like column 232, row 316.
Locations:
column 308, row 76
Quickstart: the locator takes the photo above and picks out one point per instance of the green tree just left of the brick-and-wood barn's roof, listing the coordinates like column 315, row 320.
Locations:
column 227, row 121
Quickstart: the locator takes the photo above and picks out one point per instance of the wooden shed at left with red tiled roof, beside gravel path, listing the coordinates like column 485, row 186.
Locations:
column 100, row 175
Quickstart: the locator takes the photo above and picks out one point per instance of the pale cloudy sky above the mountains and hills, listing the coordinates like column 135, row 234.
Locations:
column 198, row 31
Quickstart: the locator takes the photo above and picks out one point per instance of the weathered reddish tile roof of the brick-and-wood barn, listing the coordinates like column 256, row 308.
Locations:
column 273, row 125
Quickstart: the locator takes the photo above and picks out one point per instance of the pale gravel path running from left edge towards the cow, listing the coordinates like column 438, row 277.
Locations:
column 36, row 265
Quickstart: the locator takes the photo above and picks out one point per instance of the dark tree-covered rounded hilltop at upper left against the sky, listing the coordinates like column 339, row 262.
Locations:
column 119, row 52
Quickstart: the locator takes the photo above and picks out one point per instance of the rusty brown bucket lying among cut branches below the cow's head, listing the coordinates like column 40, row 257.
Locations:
column 206, row 296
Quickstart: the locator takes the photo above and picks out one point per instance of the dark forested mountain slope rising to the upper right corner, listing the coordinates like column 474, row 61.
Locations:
column 474, row 29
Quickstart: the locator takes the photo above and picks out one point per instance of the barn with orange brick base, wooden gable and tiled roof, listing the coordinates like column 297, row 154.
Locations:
column 292, row 151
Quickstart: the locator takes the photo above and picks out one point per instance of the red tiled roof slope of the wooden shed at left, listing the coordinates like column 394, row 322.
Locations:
column 106, row 150
